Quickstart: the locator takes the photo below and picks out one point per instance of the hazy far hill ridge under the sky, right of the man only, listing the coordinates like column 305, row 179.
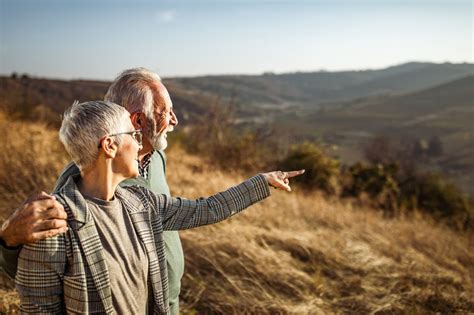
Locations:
column 316, row 88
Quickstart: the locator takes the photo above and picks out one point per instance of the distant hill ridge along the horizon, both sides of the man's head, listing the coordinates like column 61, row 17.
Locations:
column 310, row 89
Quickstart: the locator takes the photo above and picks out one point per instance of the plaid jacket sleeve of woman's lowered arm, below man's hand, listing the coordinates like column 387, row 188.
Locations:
column 40, row 274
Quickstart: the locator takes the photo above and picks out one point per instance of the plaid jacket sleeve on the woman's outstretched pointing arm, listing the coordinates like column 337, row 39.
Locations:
column 181, row 213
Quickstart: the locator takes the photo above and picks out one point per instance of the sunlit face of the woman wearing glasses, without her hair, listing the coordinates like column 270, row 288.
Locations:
column 126, row 159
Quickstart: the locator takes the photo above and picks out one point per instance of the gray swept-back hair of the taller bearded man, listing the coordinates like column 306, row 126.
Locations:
column 135, row 89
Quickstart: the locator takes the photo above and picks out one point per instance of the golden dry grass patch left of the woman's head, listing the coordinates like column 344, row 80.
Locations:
column 31, row 158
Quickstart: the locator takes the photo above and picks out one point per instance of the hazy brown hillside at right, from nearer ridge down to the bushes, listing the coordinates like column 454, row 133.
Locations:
column 444, row 112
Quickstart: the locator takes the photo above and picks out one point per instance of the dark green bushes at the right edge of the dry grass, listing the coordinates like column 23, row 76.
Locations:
column 381, row 186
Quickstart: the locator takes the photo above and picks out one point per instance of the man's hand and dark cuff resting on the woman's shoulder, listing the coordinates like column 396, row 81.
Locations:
column 39, row 217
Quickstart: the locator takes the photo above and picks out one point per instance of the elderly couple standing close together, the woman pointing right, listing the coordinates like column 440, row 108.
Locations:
column 106, row 241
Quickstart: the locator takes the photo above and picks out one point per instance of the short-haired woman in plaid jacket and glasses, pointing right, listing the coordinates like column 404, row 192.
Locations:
column 112, row 258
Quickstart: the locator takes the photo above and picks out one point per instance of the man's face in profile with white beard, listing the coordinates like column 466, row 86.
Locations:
column 164, row 119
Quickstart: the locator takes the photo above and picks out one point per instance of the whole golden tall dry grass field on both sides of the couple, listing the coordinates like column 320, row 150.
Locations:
column 291, row 254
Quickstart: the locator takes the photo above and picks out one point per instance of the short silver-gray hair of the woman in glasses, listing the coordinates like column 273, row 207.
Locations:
column 84, row 124
